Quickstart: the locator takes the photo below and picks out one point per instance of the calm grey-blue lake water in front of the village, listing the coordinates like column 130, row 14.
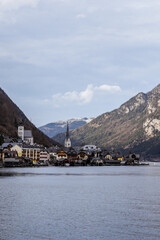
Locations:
column 80, row 203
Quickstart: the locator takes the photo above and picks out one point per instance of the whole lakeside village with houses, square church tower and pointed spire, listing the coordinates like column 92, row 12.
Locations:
column 23, row 152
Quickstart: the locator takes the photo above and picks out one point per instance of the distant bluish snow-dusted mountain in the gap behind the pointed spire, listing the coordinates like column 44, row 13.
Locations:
column 54, row 128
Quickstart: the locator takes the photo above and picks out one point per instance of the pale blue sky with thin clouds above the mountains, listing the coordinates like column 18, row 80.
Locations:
column 62, row 59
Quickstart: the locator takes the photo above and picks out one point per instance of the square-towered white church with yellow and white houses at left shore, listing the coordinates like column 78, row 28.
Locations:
column 22, row 151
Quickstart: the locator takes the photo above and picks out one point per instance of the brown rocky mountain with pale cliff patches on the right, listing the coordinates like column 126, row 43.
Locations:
column 134, row 126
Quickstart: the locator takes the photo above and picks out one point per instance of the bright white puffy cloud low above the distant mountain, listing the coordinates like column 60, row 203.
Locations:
column 82, row 97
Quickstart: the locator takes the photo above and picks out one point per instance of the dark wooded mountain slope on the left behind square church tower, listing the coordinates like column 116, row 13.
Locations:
column 11, row 116
